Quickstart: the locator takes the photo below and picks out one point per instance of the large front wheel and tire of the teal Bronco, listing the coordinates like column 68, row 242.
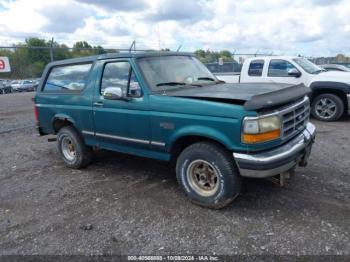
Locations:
column 218, row 161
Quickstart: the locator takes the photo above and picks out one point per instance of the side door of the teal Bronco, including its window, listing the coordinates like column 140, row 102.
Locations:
column 122, row 123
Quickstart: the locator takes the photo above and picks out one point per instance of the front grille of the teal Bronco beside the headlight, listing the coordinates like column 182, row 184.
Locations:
column 294, row 118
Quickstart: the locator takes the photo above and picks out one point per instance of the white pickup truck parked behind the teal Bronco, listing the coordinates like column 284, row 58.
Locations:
column 330, row 96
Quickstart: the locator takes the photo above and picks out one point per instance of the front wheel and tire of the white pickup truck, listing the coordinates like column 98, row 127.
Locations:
column 336, row 102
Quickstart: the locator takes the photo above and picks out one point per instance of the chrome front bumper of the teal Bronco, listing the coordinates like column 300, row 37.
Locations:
column 278, row 160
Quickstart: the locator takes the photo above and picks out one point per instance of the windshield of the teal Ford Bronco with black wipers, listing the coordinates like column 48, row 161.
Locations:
column 173, row 72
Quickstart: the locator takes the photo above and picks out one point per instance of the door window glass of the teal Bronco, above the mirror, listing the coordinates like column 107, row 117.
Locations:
column 120, row 74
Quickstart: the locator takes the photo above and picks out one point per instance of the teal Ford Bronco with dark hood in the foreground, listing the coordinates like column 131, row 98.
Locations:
column 168, row 106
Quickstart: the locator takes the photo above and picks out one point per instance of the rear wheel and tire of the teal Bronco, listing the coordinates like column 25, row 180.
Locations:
column 81, row 154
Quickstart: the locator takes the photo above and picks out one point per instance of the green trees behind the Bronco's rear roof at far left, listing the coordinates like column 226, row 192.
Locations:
column 29, row 59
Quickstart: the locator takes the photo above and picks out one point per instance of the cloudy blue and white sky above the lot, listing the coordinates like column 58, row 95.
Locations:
column 306, row 27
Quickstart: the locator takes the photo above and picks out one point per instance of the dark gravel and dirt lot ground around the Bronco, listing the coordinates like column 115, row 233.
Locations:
column 128, row 205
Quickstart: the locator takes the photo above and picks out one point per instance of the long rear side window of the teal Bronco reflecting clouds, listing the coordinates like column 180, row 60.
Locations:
column 70, row 78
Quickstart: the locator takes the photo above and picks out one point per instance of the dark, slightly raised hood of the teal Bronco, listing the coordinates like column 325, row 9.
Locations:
column 253, row 96
